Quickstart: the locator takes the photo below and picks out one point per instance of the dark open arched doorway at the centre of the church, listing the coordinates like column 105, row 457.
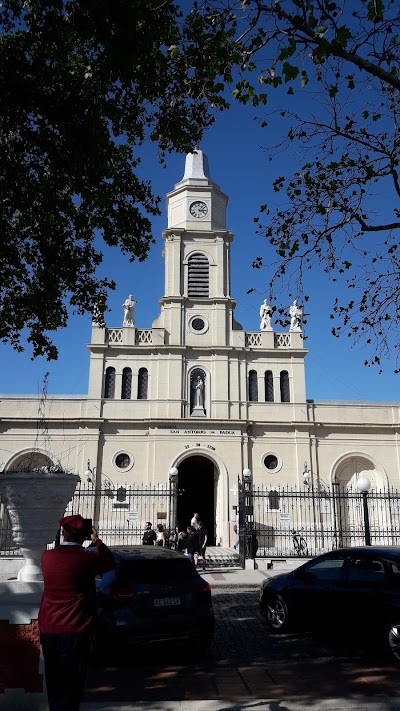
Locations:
column 196, row 493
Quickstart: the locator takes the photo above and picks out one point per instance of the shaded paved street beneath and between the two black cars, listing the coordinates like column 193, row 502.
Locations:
column 245, row 663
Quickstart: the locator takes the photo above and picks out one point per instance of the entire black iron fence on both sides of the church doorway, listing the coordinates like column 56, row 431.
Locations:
column 273, row 521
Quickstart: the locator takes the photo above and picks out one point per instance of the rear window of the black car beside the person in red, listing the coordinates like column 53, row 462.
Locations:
column 154, row 571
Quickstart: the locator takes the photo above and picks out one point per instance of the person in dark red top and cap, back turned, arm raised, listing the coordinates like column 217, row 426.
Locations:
column 68, row 609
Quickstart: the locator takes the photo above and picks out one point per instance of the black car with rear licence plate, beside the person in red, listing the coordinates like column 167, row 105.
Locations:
column 154, row 594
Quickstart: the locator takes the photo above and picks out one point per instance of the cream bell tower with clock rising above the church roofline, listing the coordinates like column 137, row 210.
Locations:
column 197, row 309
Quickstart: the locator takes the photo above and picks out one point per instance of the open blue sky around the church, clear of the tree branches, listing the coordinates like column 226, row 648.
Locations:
column 239, row 164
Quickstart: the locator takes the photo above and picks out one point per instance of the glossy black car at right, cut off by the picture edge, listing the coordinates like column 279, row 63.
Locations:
column 352, row 588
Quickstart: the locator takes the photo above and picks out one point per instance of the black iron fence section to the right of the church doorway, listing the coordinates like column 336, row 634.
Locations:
column 288, row 523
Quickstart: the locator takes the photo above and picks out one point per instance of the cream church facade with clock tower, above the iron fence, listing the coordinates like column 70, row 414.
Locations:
column 197, row 393
